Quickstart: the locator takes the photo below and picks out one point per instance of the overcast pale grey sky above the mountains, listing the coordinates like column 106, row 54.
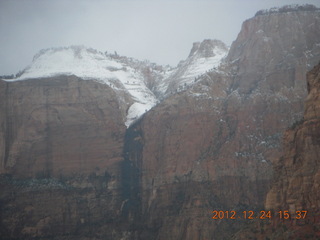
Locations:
column 161, row 31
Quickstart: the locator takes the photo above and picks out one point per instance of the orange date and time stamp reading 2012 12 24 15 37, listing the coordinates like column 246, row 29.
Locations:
column 259, row 214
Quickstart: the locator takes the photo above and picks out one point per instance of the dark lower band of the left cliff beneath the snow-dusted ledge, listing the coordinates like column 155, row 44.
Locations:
column 90, row 207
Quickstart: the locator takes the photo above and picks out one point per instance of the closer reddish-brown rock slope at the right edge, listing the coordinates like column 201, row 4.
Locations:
column 295, row 189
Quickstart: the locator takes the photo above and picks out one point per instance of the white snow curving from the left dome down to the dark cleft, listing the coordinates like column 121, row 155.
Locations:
column 89, row 64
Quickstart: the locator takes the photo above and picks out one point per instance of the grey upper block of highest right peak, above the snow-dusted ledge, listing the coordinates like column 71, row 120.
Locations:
column 272, row 47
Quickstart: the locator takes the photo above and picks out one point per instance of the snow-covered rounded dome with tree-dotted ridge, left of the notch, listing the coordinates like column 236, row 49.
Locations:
column 128, row 78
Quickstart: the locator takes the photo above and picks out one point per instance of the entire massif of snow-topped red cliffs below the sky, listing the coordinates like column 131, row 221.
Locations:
column 71, row 169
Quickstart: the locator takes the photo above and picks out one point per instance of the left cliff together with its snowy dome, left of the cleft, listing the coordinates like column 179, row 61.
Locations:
column 62, row 137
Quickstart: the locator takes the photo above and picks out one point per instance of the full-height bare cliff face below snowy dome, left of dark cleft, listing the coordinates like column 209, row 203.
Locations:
column 61, row 143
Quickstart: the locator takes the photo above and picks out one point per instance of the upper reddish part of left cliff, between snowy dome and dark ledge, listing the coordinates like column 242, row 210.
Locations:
column 59, row 127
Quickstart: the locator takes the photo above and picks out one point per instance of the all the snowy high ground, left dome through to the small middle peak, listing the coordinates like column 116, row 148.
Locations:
column 126, row 75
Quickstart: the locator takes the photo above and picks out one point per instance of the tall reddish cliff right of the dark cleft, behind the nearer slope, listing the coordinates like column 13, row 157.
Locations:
column 211, row 147
